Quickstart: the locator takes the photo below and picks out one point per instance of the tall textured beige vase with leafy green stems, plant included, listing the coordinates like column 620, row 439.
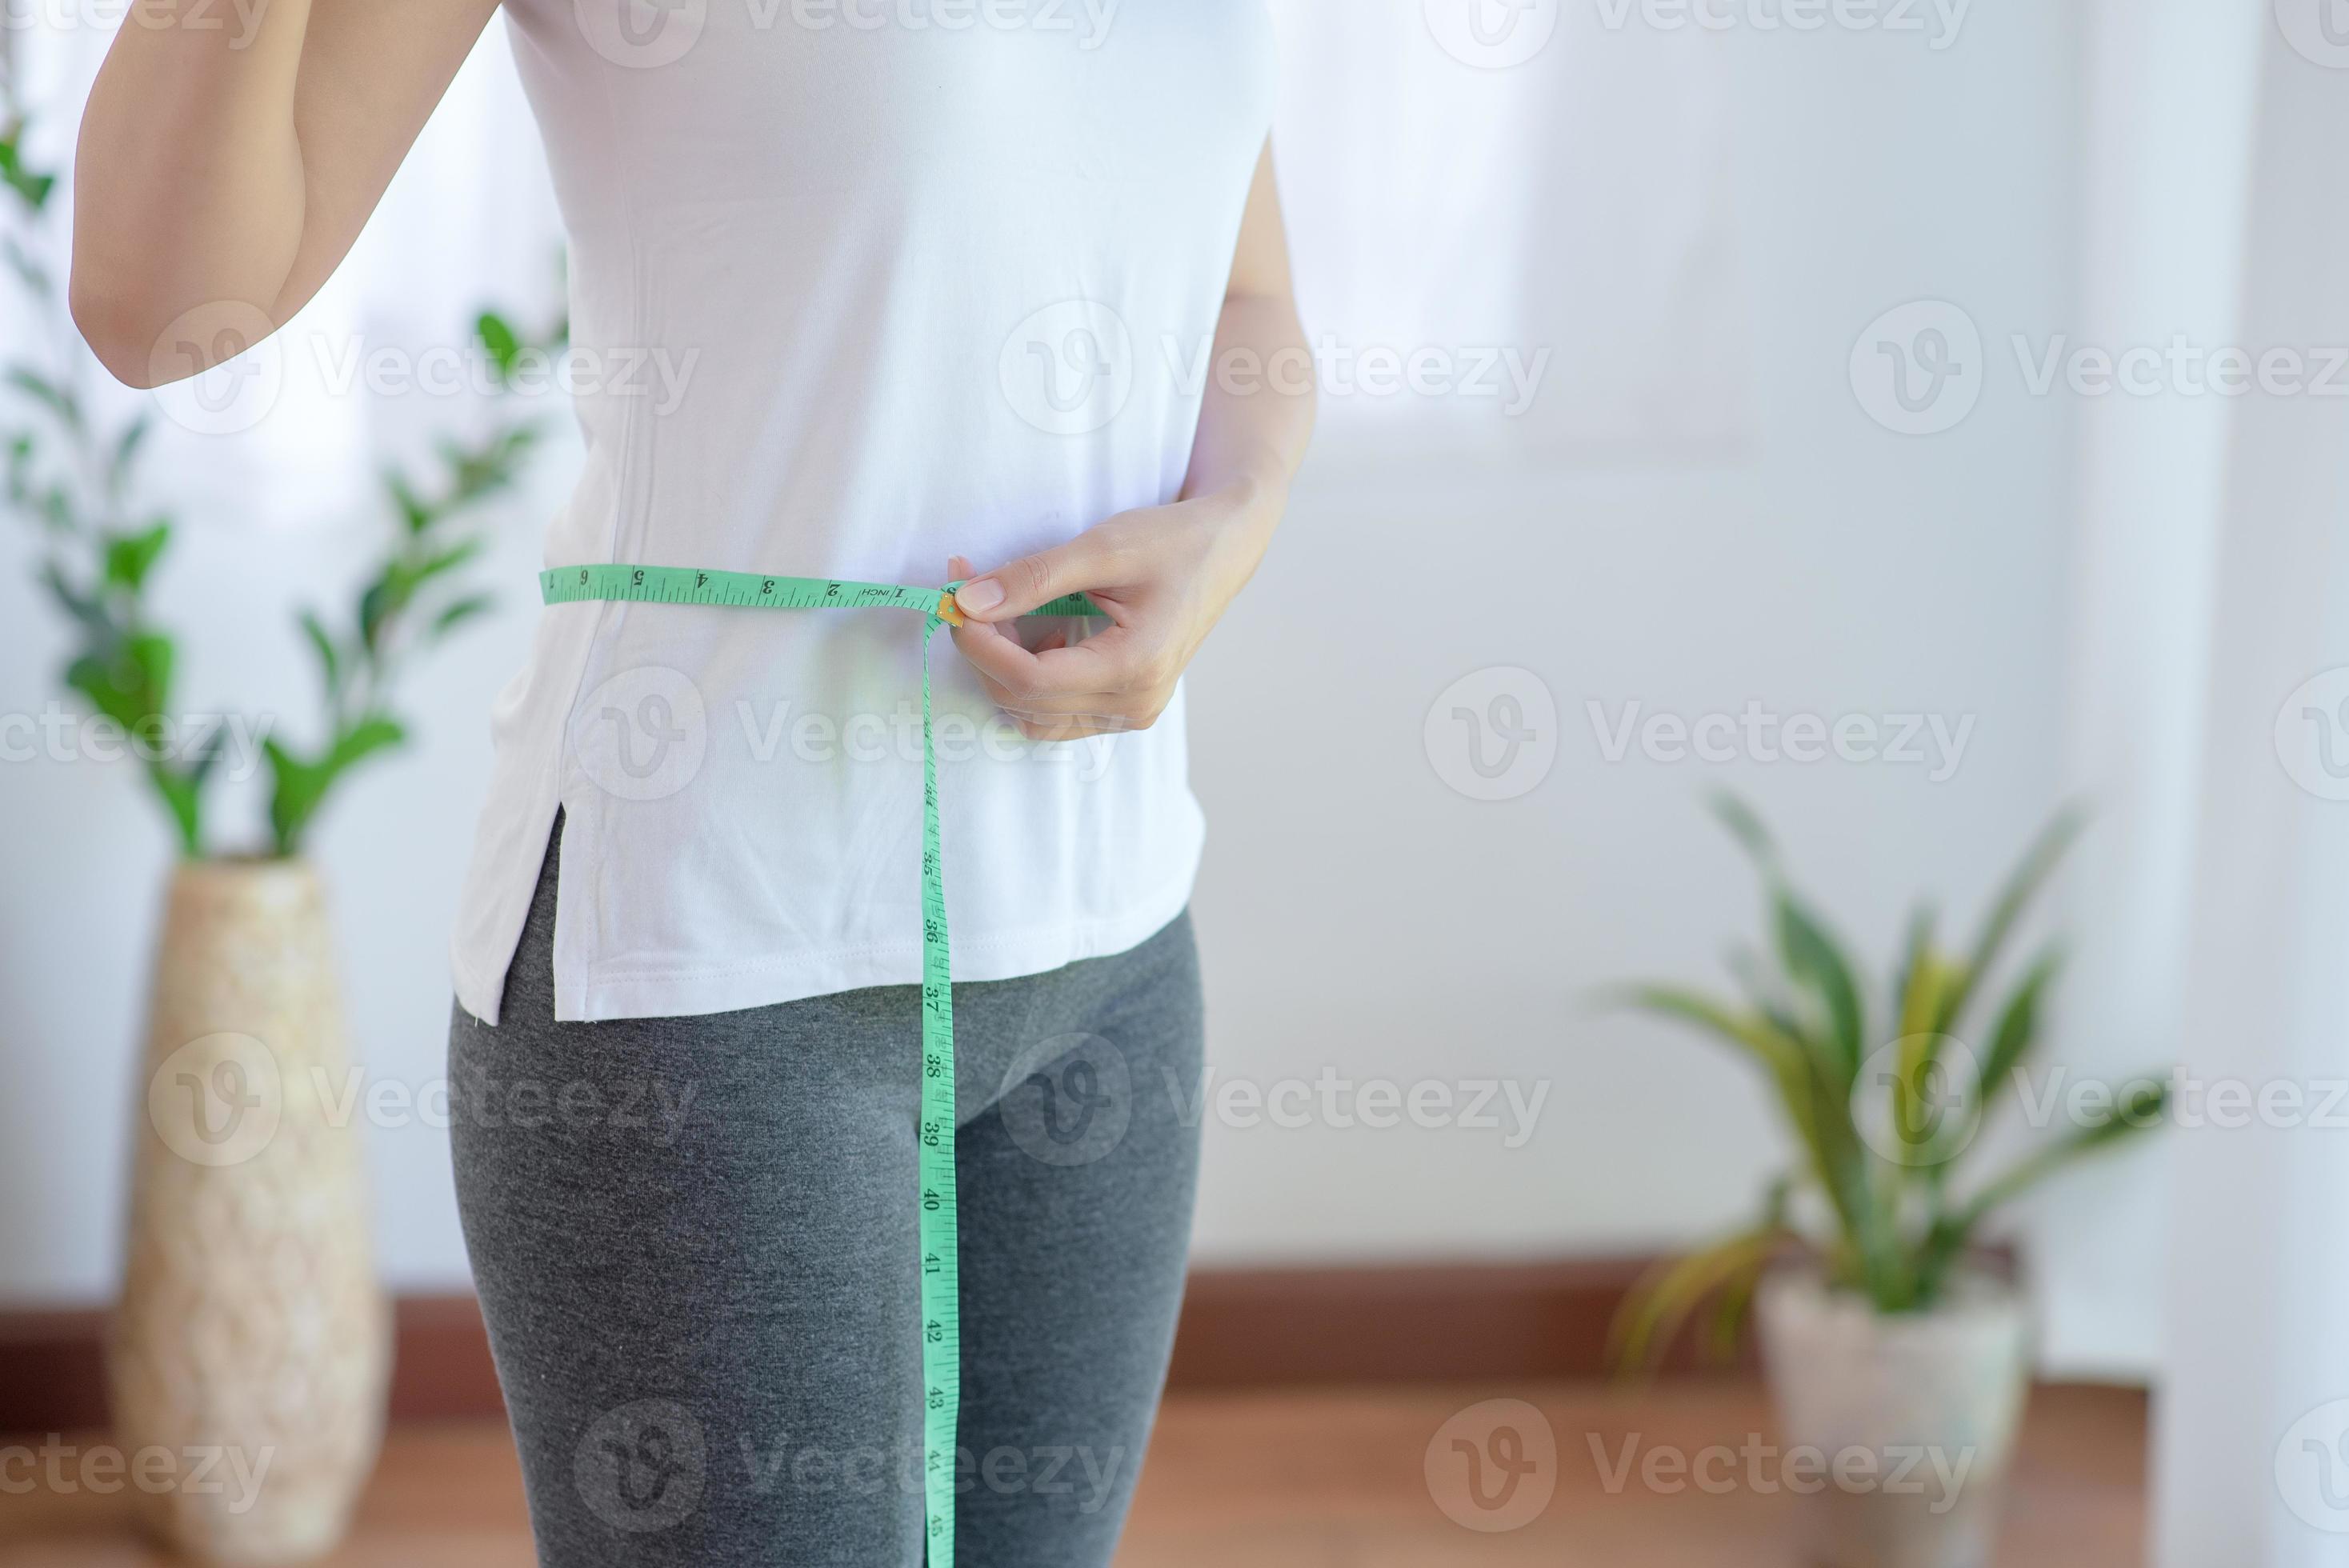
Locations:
column 253, row 1339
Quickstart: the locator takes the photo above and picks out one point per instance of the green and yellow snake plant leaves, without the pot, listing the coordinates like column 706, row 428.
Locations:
column 1885, row 1100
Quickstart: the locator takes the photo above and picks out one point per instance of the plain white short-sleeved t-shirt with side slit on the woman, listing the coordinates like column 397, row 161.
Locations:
column 856, row 285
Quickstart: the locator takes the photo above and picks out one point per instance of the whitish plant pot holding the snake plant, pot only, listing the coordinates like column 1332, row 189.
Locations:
column 1913, row 1419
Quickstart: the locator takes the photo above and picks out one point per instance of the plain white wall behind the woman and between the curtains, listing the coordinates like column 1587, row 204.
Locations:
column 1357, row 912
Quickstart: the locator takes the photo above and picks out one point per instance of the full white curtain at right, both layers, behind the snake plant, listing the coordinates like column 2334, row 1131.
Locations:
column 2214, row 726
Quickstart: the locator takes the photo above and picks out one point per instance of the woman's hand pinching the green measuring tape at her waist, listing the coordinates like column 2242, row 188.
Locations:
column 1162, row 574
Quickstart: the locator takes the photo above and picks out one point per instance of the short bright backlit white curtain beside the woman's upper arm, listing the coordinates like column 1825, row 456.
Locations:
column 1556, row 198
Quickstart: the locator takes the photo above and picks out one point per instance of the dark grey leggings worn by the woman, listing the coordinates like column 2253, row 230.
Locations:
column 696, row 1250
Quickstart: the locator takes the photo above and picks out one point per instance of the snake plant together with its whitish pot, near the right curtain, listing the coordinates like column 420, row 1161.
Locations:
column 1897, row 1351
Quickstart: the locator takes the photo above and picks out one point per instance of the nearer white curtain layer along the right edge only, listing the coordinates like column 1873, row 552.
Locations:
column 2254, row 1454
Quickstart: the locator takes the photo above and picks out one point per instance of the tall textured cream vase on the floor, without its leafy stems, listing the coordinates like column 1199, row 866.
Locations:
column 253, row 1341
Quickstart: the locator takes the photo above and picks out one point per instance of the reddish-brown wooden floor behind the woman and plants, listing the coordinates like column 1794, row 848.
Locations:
column 1293, row 1480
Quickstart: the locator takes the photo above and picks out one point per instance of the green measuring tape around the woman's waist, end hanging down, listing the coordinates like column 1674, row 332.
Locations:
column 941, row 1264
